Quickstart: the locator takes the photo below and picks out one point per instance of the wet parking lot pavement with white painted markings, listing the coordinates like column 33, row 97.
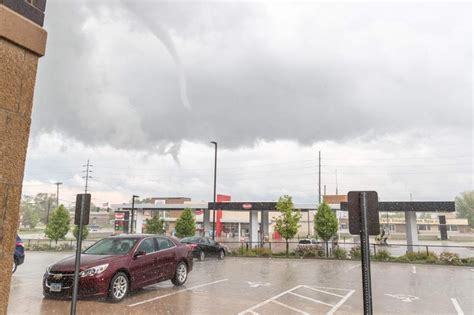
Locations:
column 268, row 286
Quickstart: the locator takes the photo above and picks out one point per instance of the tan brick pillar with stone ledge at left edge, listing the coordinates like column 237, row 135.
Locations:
column 22, row 42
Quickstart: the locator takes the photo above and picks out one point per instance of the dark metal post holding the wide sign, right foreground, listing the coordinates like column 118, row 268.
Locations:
column 365, row 251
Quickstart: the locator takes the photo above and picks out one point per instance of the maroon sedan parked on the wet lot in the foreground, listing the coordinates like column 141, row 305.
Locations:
column 115, row 265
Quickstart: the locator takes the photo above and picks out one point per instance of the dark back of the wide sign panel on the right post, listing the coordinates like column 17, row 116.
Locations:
column 354, row 205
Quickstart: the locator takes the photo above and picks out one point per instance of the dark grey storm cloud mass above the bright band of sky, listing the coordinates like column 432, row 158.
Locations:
column 304, row 72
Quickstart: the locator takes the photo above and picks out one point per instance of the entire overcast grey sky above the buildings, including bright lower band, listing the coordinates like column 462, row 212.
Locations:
column 384, row 90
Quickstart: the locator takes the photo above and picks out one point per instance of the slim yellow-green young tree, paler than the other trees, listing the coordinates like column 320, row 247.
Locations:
column 287, row 223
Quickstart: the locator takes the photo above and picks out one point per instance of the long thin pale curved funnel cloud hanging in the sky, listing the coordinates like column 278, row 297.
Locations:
column 163, row 36
